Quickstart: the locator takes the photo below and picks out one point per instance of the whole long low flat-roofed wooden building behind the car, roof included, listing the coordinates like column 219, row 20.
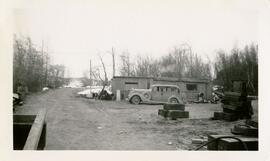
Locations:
column 190, row 87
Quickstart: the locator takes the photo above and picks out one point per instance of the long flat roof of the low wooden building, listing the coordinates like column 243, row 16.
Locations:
column 170, row 79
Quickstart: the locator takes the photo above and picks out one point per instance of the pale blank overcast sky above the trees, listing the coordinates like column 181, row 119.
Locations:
column 76, row 31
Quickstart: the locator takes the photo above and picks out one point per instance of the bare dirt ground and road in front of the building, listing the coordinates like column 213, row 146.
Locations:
column 75, row 123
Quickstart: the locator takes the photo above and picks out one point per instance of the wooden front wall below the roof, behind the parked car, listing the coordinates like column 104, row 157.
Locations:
column 120, row 83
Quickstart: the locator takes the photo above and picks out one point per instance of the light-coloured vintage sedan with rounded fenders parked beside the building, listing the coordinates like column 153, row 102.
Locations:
column 158, row 93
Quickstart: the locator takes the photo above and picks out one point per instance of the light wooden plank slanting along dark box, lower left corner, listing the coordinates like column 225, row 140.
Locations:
column 35, row 132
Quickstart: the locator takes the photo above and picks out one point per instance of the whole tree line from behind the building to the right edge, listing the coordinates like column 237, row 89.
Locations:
column 182, row 62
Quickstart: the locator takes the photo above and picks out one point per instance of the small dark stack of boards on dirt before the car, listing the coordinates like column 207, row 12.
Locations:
column 173, row 111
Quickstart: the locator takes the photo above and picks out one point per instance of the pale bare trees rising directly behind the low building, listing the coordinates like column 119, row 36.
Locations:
column 179, row 62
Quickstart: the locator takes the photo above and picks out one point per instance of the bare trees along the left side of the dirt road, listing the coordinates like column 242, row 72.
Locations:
column 32, row 67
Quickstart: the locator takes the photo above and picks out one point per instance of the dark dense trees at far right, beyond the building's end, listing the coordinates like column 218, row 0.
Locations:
column 239, row 64
